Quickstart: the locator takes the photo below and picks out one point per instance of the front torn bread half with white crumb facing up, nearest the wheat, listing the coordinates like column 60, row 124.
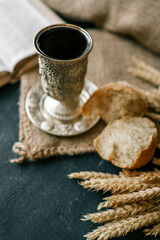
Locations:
column 128, row 143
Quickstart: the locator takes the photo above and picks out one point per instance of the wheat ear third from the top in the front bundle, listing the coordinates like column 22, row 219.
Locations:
column 120, row 199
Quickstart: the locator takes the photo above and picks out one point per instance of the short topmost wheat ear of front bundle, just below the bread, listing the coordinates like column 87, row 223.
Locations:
column 92, row 174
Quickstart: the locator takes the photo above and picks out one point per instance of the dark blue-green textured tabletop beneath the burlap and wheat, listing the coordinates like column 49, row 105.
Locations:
column 37, row 200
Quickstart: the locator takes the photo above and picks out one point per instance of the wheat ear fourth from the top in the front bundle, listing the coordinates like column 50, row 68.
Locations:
column 121, row 212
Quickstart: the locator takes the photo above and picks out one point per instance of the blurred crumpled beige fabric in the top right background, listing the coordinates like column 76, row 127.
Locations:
column 137, row 18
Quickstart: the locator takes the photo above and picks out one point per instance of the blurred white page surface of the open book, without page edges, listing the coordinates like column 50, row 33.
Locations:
column 20, row 20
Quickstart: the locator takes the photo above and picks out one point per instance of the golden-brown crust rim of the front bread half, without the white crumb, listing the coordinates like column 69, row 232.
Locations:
column 142, row 159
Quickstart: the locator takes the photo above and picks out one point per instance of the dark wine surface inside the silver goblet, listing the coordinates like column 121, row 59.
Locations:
column 62, row 43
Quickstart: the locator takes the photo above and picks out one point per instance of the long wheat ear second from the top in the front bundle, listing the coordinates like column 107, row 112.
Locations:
column 116, row 186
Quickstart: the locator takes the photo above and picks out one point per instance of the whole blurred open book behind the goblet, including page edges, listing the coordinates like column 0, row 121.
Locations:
column 20, row 20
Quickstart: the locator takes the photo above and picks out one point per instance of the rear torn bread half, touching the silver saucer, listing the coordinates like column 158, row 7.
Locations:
column 114, row 101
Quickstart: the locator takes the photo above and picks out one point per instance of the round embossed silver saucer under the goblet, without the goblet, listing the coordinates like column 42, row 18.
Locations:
column 53, row 126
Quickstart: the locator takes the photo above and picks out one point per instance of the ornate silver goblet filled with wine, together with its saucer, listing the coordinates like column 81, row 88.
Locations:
column 63, row 56
